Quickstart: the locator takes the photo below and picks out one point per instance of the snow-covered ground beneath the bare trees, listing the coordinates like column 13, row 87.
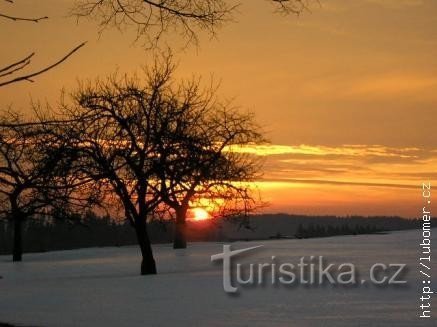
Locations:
column 101, row 287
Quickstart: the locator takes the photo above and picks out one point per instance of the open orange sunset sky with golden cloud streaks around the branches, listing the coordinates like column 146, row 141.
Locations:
column 347, row 93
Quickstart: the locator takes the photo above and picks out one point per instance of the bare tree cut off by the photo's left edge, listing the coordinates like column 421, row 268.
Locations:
column 30, row 183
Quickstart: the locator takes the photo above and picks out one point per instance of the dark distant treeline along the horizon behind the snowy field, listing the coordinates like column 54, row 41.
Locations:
column 96, row 231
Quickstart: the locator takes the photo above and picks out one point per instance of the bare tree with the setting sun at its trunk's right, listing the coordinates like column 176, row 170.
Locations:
column 199, row 164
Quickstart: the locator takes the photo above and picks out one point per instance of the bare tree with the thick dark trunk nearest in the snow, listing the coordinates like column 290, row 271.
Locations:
column 111, row 133
